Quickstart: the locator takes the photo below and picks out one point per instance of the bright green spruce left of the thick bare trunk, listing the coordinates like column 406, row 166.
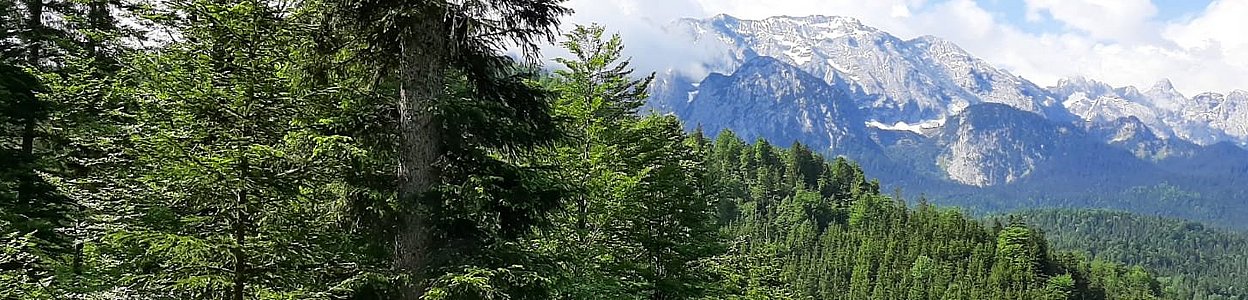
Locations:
column 232, row 201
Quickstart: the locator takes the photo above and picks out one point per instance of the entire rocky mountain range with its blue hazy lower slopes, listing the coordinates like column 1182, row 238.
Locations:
column 938, row 121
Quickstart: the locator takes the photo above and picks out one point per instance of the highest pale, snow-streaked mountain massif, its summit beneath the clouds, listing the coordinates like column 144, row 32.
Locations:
column 900, row 81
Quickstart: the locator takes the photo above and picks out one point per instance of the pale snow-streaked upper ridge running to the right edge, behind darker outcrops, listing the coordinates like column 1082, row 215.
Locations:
column 924, row 81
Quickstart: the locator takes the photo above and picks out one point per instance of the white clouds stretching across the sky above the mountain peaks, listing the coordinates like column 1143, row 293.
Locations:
column 1116, row 42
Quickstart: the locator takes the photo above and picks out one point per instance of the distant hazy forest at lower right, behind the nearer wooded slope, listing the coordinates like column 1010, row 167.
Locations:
column 1191, row 261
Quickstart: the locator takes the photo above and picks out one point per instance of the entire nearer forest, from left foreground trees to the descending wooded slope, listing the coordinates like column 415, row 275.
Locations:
column 375, row 149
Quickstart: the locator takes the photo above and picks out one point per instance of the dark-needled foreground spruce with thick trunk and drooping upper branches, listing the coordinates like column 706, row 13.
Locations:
column 466, row 122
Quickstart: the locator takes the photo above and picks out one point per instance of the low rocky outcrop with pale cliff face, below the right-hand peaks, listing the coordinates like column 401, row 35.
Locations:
column 995, row 144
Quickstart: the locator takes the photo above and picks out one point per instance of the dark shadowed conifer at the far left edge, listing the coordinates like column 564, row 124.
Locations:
column 33, row 49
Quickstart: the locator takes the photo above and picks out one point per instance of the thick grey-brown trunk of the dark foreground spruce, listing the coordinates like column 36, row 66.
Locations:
column 422, row 67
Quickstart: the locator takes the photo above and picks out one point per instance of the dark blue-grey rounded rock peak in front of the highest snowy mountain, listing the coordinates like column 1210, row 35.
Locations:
column 768, row 99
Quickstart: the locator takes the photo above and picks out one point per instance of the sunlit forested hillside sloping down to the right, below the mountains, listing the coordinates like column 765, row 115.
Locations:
column 827, row 233
